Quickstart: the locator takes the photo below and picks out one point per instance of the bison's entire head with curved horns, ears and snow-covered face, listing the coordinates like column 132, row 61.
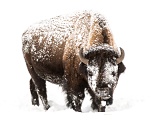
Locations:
column 101, row 67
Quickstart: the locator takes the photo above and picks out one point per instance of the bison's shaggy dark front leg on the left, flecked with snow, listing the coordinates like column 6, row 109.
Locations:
column 75, row 100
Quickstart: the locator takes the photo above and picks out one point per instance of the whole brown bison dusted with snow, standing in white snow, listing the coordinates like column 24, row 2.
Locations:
column 77, row 52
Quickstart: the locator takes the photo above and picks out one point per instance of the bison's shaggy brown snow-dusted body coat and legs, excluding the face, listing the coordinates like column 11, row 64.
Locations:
column 51, row 51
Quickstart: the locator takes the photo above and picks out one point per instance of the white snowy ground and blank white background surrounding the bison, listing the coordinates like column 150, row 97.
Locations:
column 135, row 26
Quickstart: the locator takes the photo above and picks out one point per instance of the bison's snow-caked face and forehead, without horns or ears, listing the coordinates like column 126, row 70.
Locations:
column 102, row 69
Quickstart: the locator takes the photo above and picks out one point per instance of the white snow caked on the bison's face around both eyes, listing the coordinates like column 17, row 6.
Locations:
column 107, row 75
